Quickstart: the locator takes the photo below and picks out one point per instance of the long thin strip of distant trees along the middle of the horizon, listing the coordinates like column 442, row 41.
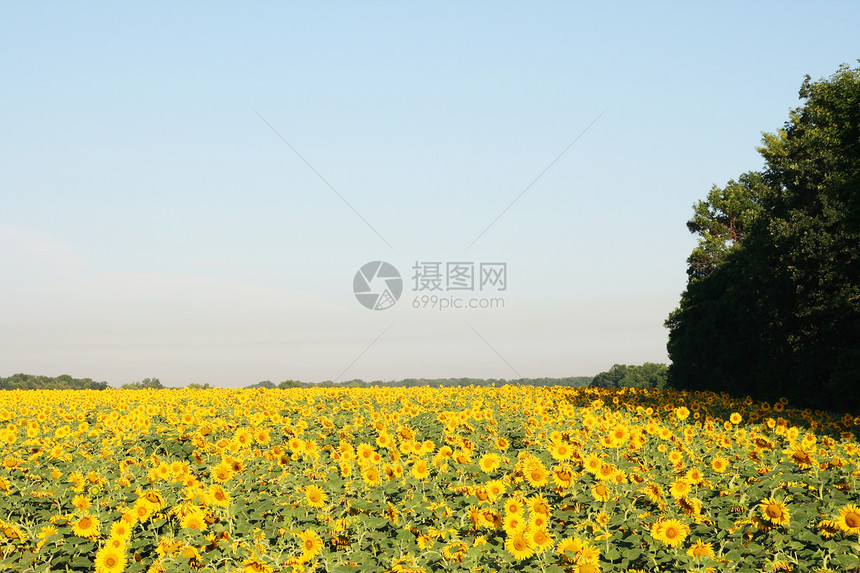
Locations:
column 430, row 382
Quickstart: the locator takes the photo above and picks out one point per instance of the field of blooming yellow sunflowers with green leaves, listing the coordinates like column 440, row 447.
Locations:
column 406, row 480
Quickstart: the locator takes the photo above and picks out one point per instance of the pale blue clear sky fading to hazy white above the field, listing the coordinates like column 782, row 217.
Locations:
column 187, row 190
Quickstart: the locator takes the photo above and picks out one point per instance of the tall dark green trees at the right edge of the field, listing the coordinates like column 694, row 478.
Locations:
column 778, row 313
